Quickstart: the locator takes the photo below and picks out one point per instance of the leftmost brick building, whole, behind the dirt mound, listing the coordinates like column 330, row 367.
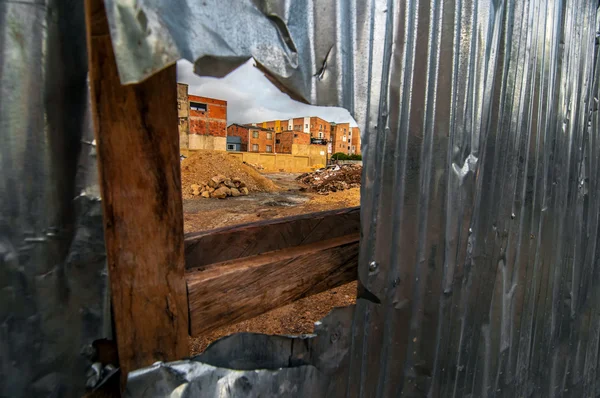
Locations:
column 202, row 121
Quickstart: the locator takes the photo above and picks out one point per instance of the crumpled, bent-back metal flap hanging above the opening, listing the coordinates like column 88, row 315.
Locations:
column 302, row 44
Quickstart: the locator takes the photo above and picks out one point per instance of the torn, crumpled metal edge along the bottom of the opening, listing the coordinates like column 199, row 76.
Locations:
column 255, row 365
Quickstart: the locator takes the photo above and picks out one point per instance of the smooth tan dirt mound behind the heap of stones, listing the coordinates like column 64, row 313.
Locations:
column 201, row 166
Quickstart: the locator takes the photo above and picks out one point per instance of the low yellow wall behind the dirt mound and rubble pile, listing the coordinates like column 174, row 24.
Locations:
column 280, row 162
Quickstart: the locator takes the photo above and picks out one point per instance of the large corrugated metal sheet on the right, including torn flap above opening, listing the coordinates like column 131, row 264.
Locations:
column 479, row 257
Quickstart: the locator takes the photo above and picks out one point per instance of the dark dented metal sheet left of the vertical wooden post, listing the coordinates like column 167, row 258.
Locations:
column 52, row 257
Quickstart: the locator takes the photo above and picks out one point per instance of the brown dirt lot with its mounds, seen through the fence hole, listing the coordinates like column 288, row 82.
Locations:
column 270, row 196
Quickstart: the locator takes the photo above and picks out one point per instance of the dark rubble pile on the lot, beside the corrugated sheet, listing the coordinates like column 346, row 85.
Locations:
column 333, row 178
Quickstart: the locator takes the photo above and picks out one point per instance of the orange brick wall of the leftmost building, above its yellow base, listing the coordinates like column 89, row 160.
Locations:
column 213, row 121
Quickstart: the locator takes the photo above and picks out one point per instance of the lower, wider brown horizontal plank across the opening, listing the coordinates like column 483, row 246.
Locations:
column 241, row 289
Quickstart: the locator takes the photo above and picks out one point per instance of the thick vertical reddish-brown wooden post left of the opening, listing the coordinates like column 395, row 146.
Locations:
column 138, row 158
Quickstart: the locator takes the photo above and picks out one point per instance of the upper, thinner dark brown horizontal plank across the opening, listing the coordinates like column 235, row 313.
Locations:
column 209, row 247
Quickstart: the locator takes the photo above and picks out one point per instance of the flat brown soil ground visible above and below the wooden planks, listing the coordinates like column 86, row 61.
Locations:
column 298, row 317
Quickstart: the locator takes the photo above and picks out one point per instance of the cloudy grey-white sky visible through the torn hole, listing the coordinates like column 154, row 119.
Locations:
column 251, row 97
